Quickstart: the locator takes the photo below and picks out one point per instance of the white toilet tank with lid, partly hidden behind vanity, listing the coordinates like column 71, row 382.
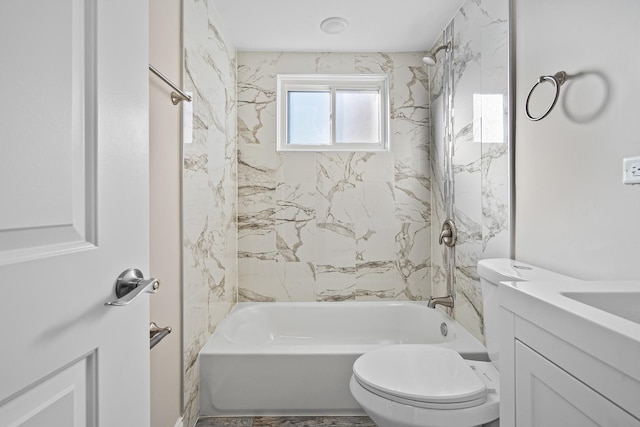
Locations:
column 494, row 271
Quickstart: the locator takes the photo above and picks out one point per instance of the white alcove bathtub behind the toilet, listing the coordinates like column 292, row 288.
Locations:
column 296, row 358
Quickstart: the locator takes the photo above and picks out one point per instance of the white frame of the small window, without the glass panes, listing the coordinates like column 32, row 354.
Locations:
column 317, row 82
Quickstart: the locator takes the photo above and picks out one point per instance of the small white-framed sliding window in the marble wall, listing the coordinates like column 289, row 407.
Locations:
column 320, row 112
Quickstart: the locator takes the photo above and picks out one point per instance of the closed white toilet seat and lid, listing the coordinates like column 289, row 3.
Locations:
column 424, row 376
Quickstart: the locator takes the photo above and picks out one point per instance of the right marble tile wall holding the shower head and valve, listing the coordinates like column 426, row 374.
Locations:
column 480, row 176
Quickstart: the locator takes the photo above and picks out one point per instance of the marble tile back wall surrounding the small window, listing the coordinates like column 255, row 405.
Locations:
column 333, row 226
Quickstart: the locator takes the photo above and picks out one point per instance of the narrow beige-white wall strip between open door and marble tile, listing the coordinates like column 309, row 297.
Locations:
column 165, row 241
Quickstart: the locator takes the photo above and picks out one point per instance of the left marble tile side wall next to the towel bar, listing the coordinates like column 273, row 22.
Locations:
column 209, row 188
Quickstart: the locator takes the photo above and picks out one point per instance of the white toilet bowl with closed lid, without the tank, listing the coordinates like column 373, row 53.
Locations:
column 388, row 386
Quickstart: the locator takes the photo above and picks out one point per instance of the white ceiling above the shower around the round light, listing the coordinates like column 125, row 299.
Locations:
column 374, row 25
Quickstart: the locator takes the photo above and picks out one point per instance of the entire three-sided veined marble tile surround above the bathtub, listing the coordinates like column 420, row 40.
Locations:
column 333, row 226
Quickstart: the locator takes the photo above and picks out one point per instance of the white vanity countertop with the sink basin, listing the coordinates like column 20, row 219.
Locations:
column 601, row 318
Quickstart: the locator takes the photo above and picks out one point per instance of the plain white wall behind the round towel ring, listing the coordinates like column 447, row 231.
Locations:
column 573, row 214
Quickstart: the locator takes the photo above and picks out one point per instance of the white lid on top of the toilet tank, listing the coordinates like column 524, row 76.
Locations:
column 503, row 270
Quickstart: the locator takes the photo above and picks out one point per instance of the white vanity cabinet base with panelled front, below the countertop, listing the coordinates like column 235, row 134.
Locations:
column 560, row 368
